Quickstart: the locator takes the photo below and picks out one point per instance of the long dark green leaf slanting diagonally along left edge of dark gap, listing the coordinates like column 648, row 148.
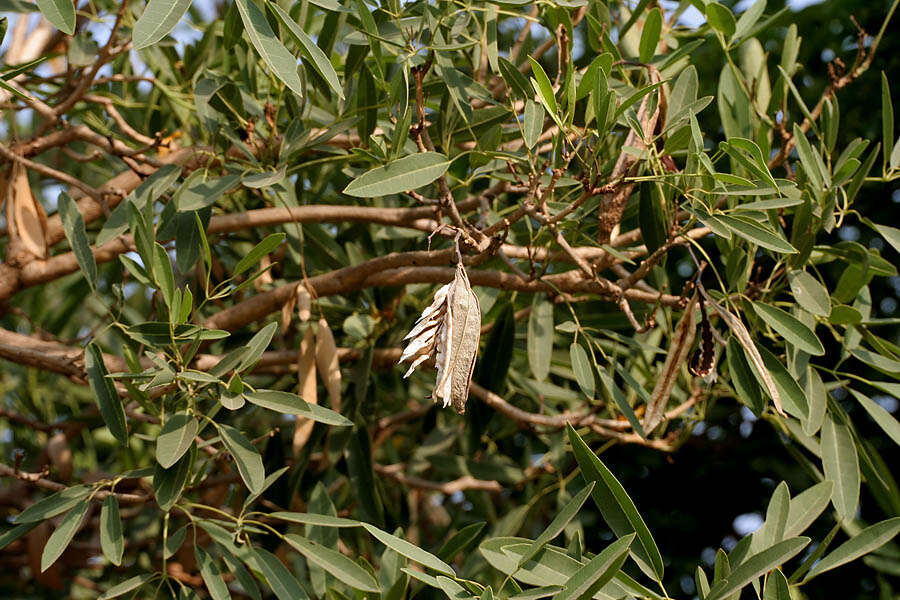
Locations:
column 617, row 508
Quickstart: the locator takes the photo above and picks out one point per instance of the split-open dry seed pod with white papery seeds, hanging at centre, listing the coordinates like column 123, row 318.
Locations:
column 448, row 332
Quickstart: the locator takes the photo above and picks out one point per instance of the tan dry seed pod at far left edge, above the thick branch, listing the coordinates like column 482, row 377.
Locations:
column 26, row 218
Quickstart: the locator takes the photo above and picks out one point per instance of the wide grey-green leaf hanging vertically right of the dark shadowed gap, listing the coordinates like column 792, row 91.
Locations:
column 841, row 465
